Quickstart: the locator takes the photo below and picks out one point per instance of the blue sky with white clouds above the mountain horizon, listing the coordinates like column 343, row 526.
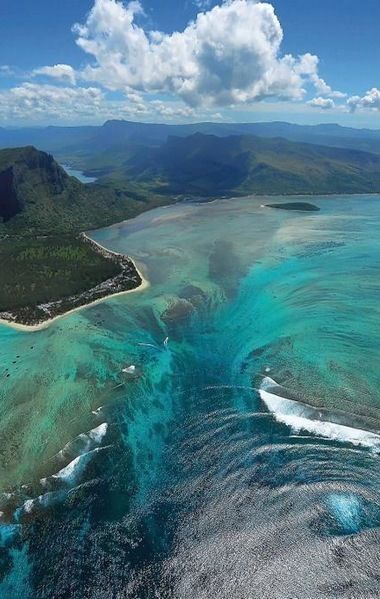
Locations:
column 86, row 61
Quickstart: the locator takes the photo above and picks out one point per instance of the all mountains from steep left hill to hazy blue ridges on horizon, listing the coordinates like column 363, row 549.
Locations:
column 140, row 166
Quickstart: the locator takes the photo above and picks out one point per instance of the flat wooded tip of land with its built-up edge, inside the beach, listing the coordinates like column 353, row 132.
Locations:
column 44, row 277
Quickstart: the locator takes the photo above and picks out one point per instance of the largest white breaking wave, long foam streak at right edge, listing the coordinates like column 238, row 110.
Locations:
column 300, row 417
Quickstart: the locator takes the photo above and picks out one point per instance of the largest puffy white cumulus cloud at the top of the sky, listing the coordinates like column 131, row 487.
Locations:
column 229, row 55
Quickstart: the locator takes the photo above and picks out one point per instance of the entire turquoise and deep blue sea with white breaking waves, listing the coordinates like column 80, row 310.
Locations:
column 242, row 460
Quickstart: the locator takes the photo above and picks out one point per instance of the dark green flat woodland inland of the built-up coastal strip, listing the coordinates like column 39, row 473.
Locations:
column 35, row 271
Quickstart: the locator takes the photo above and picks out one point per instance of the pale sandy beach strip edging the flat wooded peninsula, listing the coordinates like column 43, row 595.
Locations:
column 26, row 328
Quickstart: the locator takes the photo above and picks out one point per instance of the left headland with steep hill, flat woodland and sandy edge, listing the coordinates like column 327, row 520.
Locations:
column 48, row 267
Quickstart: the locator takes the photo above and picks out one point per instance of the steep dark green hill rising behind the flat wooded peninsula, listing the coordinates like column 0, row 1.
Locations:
column 38, row 197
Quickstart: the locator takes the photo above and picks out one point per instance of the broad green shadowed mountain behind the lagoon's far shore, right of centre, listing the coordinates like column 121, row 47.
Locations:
column 208, row 165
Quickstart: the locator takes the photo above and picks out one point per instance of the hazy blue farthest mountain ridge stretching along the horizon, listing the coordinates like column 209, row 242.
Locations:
column 99, row 149
